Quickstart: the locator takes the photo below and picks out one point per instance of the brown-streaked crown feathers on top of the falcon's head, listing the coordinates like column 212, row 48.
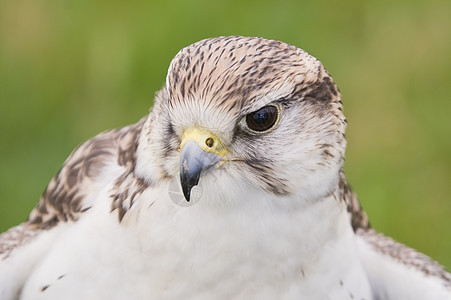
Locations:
column 232, row 71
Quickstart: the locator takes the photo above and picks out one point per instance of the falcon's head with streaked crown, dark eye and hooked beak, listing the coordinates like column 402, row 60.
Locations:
column 243, row 113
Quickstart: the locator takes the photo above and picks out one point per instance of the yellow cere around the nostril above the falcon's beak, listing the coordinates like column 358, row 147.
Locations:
column 200, row 136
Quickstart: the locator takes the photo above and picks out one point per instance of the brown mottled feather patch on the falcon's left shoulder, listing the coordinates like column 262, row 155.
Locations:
column 63, row 199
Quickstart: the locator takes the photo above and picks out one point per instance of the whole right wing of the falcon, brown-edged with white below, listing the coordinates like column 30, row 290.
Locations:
column 395, row 270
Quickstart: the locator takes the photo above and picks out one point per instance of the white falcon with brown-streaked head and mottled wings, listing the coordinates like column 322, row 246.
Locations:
column 232, row 187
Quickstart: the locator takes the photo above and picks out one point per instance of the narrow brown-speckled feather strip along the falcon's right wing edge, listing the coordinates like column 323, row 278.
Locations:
column 404, row 255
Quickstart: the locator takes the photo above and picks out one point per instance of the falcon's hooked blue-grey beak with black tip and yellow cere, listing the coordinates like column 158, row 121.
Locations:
column 201, row 151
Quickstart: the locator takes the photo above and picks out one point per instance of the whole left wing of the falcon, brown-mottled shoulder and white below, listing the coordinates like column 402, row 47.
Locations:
column 96, row 163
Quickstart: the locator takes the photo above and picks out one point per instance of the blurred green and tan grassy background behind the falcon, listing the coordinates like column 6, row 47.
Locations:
column 71, row 69
